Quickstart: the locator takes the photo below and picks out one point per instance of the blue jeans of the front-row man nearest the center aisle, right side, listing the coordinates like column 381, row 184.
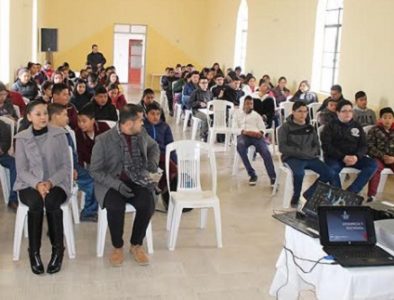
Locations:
column 298, row 167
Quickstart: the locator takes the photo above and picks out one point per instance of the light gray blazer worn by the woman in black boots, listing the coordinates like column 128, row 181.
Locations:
column 29, row 167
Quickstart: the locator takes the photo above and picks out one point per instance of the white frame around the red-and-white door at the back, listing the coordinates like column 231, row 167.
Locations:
column 132, row 32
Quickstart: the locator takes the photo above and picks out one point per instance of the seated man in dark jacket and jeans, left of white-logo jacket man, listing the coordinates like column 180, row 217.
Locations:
column 300, row 149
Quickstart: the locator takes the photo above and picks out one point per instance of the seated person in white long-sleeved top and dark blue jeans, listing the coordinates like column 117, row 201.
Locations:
column 250, row 128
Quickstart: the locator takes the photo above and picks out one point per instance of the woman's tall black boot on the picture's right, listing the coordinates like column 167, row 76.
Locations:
column 55, row 229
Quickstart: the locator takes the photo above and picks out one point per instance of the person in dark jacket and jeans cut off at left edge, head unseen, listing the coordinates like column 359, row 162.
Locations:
column 8, row 161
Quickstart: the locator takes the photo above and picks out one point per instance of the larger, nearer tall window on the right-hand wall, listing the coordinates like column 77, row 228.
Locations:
column 327, row 44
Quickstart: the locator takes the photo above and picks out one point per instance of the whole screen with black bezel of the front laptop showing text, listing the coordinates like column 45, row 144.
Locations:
column 346, row 225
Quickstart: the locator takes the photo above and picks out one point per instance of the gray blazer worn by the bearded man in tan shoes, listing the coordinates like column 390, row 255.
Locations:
column 106, row 164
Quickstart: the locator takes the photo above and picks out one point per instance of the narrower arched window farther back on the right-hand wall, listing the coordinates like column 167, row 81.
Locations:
column 241, row 35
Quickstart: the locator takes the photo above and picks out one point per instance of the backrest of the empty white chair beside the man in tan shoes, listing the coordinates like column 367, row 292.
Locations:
column 189, row 153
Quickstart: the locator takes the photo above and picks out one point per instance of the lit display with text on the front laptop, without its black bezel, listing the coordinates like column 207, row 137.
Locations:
column 344, row 226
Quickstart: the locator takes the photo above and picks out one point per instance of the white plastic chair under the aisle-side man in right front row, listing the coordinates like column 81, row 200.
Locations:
column 285, row 170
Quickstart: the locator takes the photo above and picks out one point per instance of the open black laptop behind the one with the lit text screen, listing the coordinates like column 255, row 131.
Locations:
column 306, row 220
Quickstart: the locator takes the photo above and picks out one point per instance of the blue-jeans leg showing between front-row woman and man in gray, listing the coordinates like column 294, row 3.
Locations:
column 86, row 184
